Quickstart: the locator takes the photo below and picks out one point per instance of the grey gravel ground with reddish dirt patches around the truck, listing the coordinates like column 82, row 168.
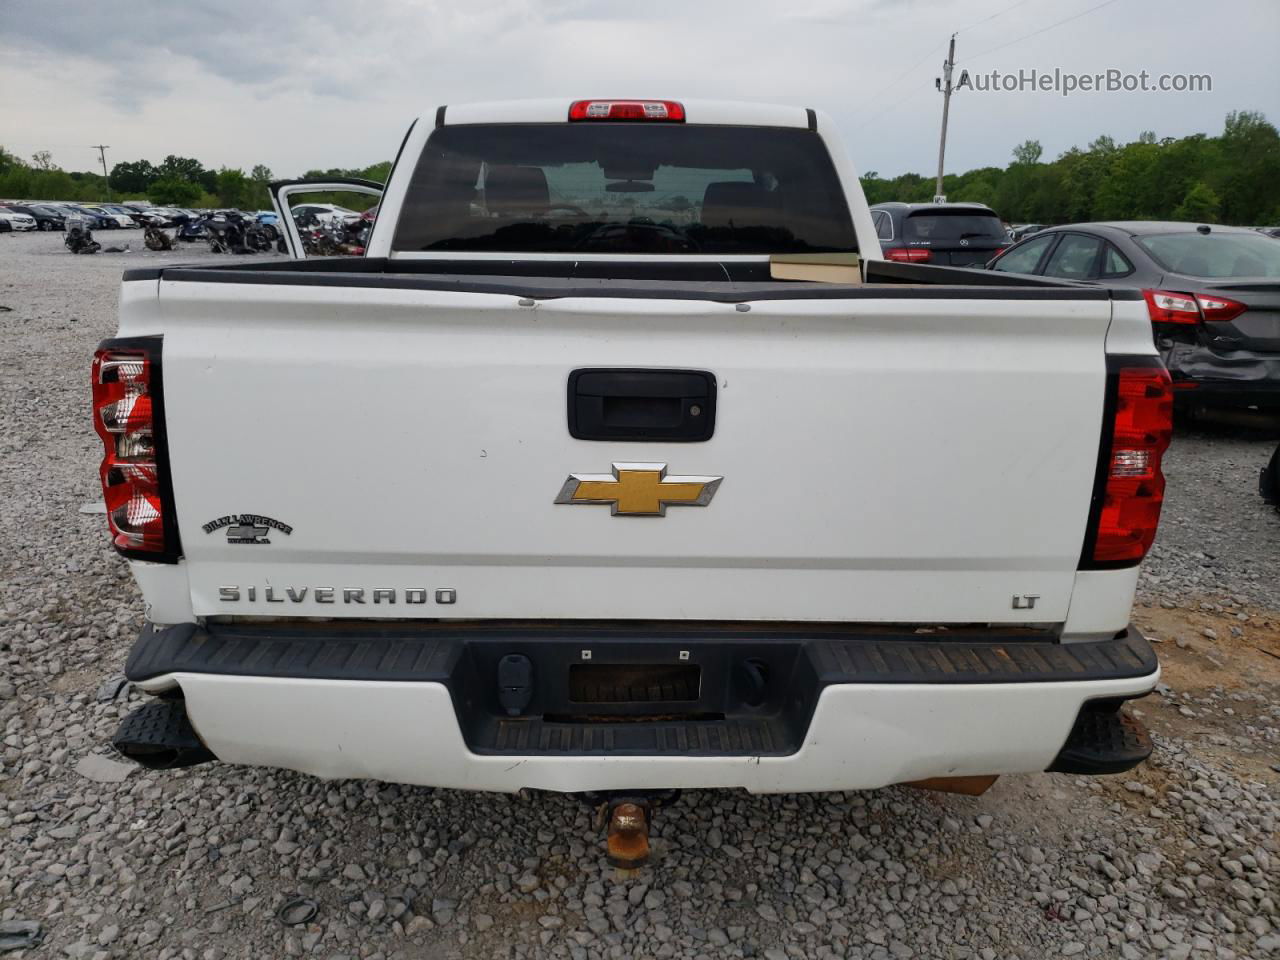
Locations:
column 1178, row 860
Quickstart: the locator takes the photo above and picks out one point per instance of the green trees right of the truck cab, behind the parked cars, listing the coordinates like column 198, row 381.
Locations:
column 1233, row 179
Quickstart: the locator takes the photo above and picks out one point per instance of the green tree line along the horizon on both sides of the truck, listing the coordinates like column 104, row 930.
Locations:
column 1232, row 179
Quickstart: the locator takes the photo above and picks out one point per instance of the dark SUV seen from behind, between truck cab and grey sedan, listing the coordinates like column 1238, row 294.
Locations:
column 952, row 235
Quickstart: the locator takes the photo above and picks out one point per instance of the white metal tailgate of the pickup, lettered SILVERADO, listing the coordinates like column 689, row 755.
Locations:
column 899, row 459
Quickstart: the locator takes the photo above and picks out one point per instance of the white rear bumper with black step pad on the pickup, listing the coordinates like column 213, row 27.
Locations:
column 840, row 711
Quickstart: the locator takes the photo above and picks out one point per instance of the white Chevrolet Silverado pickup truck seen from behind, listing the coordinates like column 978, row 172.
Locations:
column 560, row 487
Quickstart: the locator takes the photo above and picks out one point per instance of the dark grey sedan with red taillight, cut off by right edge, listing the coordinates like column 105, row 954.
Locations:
column 1213, row 295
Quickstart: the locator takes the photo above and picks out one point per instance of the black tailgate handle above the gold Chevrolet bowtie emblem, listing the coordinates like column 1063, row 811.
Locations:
column 674, row 406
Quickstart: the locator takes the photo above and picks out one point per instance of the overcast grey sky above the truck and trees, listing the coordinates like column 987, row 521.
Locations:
column 316, row 84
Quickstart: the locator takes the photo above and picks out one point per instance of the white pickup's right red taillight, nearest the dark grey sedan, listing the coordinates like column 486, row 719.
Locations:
column 1130, row 487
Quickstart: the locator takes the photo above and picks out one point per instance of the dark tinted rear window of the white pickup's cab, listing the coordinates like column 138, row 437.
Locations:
column 625, row 189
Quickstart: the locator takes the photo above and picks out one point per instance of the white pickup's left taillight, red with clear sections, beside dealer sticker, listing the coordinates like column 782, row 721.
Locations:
column 129, row 412
